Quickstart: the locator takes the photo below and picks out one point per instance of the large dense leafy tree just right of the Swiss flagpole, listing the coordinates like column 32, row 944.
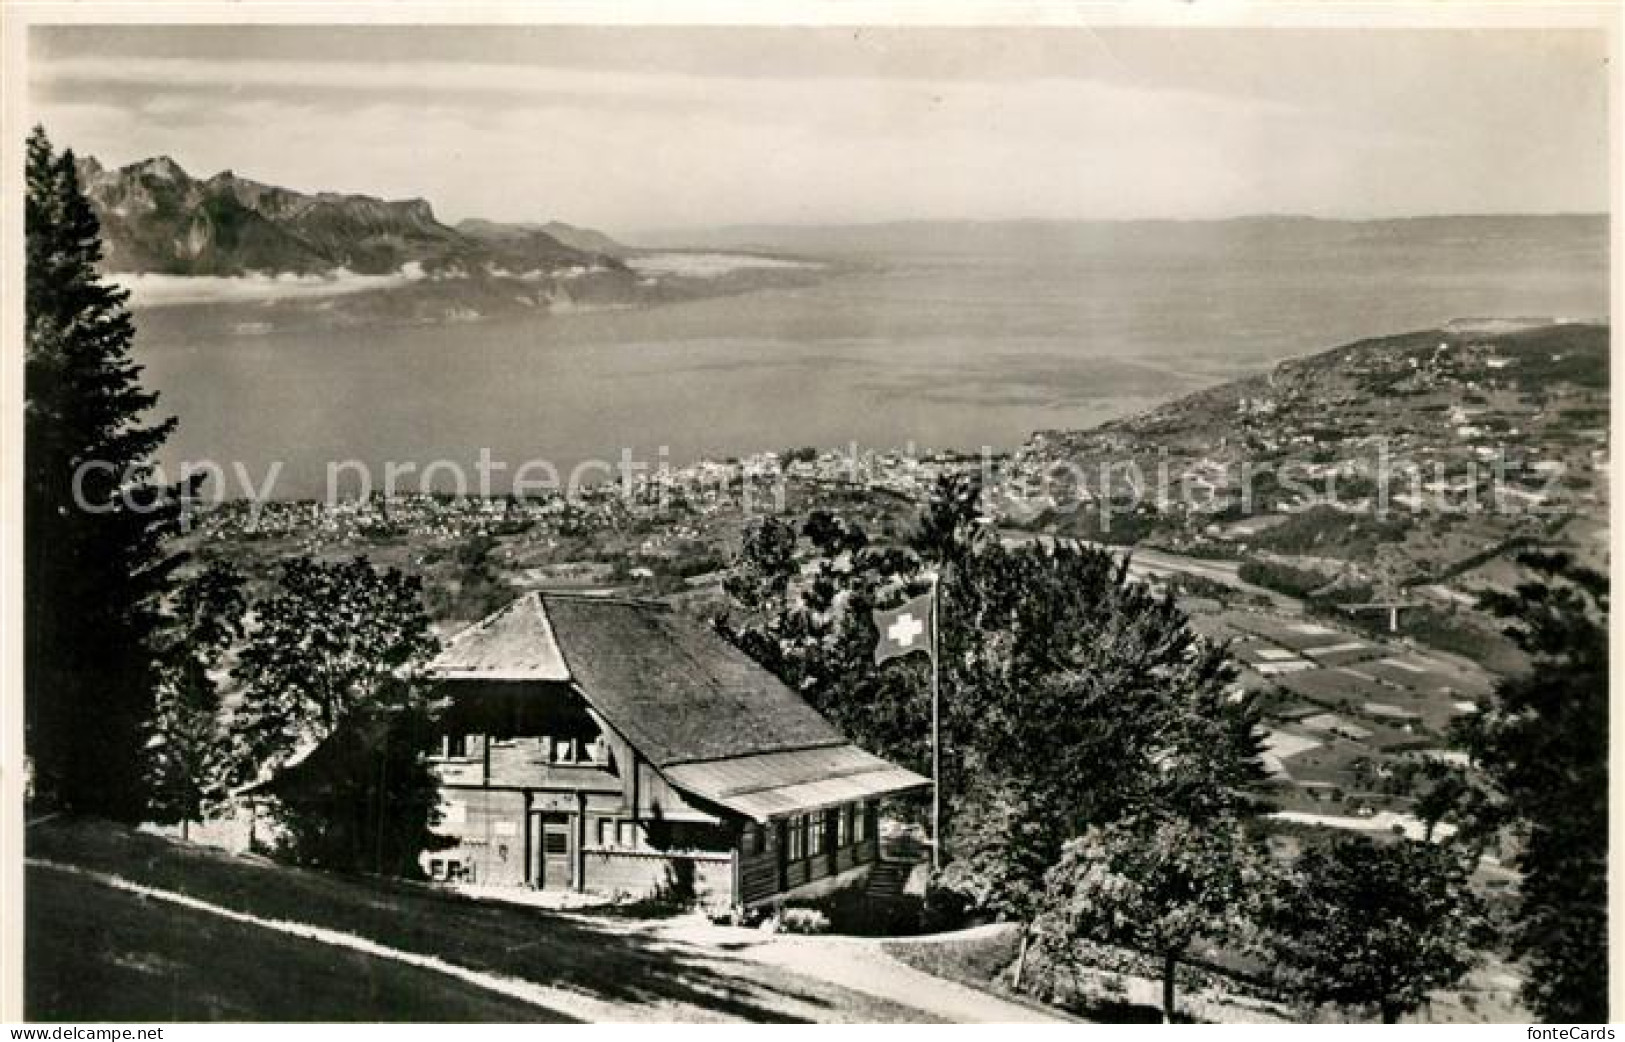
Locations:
column 1081, row 700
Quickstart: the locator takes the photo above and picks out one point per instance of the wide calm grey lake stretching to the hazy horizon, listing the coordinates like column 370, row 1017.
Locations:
column 953, row 336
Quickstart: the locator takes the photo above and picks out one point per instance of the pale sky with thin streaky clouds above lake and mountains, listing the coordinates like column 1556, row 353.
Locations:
column 630, row 129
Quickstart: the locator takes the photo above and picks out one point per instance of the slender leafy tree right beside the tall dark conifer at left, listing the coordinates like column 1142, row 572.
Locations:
column 186, row 752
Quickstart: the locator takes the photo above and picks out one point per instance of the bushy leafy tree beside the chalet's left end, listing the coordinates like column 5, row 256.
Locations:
column 331, row 640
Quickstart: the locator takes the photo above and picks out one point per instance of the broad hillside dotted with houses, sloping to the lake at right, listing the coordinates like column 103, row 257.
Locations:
column 1400, row 469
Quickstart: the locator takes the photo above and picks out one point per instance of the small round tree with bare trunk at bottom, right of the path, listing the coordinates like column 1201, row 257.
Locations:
column 1151, row 884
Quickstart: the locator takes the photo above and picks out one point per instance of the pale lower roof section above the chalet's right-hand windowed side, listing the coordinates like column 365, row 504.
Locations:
column 776, row 784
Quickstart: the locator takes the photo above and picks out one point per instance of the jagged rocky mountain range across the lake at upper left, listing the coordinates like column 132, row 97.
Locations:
column 157, row 219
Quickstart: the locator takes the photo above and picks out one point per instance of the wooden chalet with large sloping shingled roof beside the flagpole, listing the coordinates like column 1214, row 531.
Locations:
column 612, row 745
